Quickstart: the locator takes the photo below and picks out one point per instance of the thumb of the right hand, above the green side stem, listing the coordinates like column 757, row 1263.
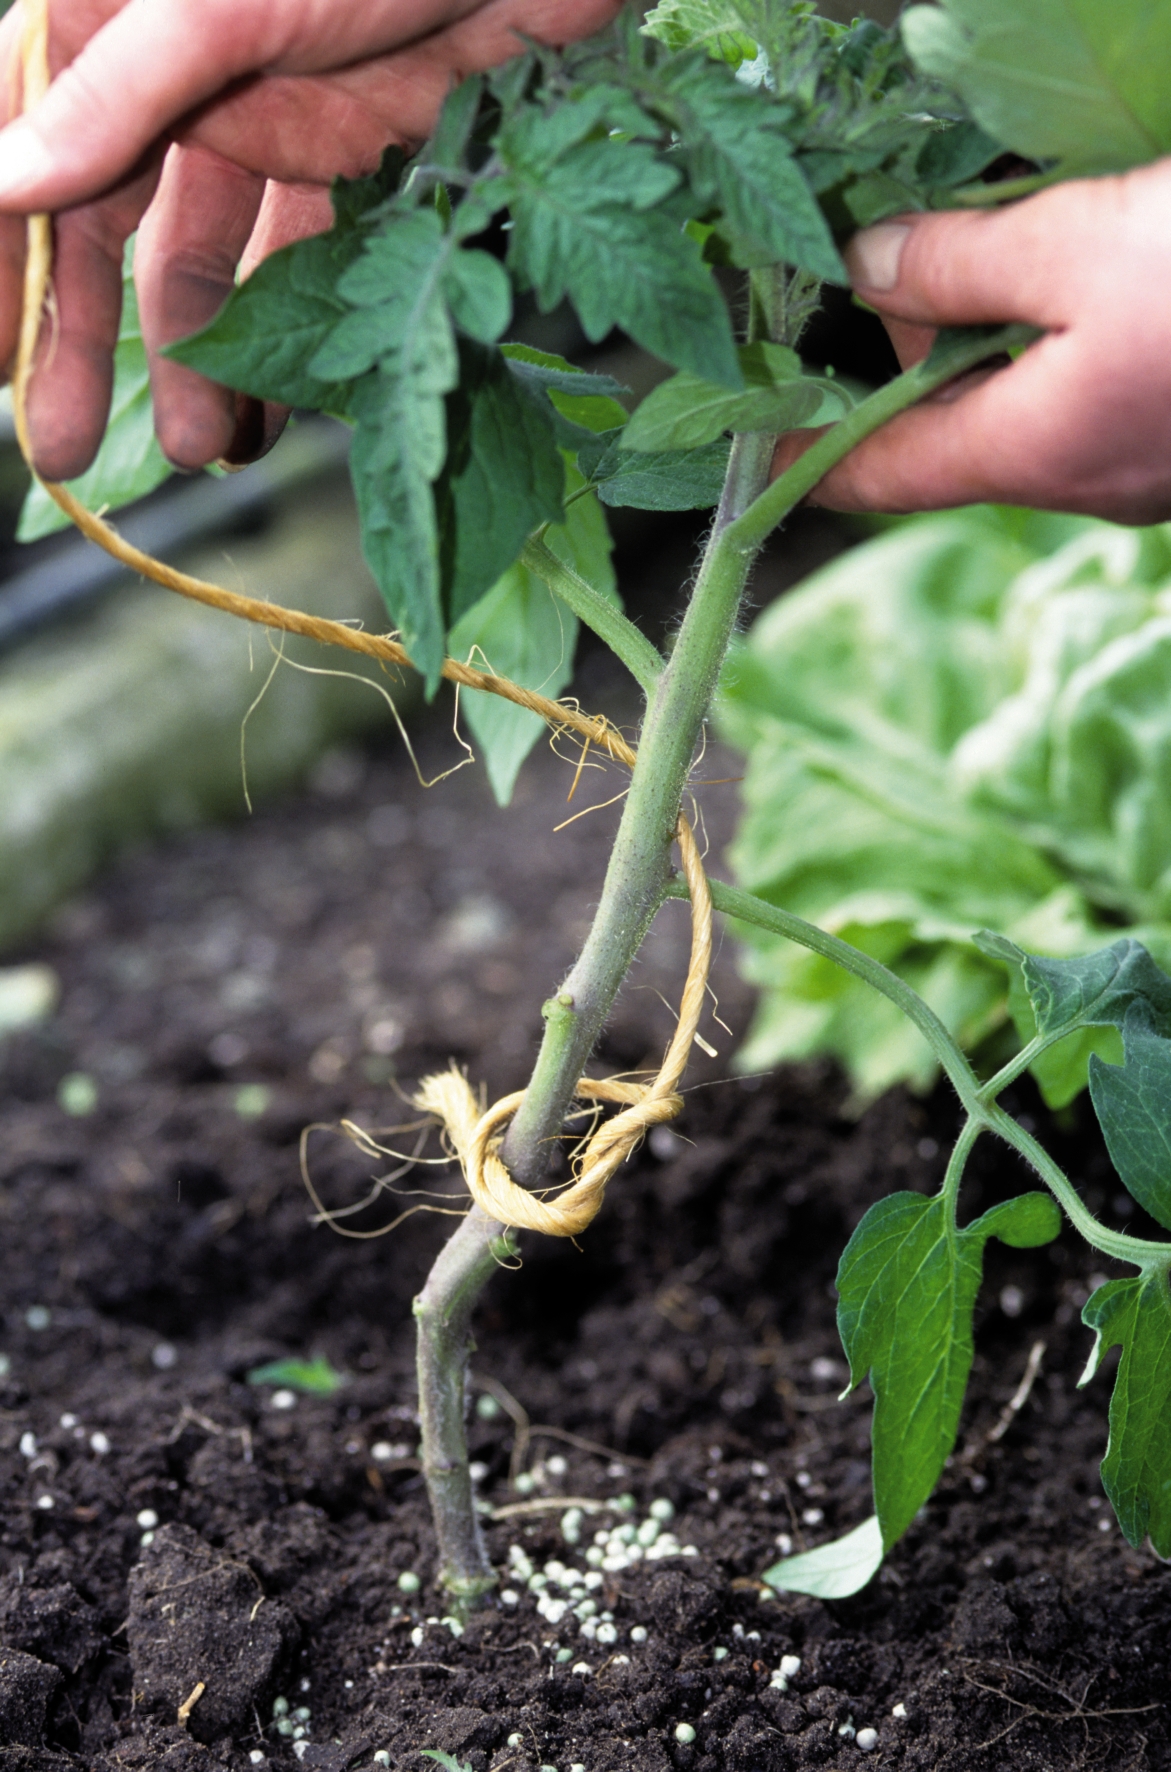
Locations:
column 963, row 268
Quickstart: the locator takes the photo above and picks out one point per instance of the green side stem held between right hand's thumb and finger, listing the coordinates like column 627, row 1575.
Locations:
column 952, row 357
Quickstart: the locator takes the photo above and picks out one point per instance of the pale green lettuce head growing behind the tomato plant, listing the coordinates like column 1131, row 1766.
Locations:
column 958, row 726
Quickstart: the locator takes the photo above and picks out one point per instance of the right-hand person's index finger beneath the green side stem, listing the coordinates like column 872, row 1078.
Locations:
column 1037, row 433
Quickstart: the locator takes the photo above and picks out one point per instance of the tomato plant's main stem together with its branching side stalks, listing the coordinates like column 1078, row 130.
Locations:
column 637, row 882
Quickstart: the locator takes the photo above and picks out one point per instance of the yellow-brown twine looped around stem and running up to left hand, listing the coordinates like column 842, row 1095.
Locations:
column 474, row 1135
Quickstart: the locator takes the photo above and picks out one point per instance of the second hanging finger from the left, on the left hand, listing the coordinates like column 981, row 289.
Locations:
column 185, row 268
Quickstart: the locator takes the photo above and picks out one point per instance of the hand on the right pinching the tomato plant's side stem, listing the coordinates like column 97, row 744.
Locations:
column 1083, row 421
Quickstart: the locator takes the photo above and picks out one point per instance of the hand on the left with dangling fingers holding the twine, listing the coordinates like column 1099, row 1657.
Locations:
column 212, row 127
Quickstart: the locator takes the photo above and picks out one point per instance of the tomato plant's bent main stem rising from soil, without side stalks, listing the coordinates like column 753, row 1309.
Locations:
column 635, row 887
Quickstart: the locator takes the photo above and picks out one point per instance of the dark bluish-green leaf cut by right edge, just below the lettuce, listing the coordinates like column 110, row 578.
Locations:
column 1133, row 1103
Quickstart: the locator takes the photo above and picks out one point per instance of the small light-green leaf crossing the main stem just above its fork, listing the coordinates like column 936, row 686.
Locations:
column 688, row 412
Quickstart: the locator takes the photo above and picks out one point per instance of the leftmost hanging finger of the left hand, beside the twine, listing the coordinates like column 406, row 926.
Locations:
column 68, row 398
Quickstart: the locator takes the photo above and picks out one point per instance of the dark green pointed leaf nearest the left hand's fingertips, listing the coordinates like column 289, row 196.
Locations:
column 272, row 327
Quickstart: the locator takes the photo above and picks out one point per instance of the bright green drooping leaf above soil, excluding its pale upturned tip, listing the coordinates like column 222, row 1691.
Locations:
column 908, row 1286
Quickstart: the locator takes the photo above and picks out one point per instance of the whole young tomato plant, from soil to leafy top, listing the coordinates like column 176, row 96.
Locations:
column 750, row 141
